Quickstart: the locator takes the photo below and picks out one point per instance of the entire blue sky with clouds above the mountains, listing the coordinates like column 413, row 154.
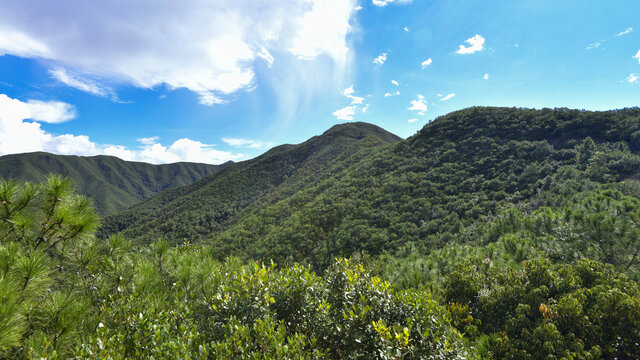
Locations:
column 213, row 81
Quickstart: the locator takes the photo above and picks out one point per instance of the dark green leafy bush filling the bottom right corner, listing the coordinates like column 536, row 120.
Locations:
column 543, row 310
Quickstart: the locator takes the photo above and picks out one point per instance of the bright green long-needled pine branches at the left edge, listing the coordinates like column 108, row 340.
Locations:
column 38, row 309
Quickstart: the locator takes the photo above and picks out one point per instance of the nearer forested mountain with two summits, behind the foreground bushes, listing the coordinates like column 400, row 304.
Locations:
column 336, row 194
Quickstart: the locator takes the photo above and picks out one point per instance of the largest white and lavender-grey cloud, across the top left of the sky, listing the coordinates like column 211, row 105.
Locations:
column 207, row 49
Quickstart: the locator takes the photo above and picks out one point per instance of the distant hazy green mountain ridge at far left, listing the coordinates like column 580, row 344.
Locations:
column 113, row 184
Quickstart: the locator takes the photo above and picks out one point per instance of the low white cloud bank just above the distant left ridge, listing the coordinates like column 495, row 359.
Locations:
column 17, row 135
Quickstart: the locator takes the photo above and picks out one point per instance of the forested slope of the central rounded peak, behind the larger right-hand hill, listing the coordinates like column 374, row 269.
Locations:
column 195, row 211
